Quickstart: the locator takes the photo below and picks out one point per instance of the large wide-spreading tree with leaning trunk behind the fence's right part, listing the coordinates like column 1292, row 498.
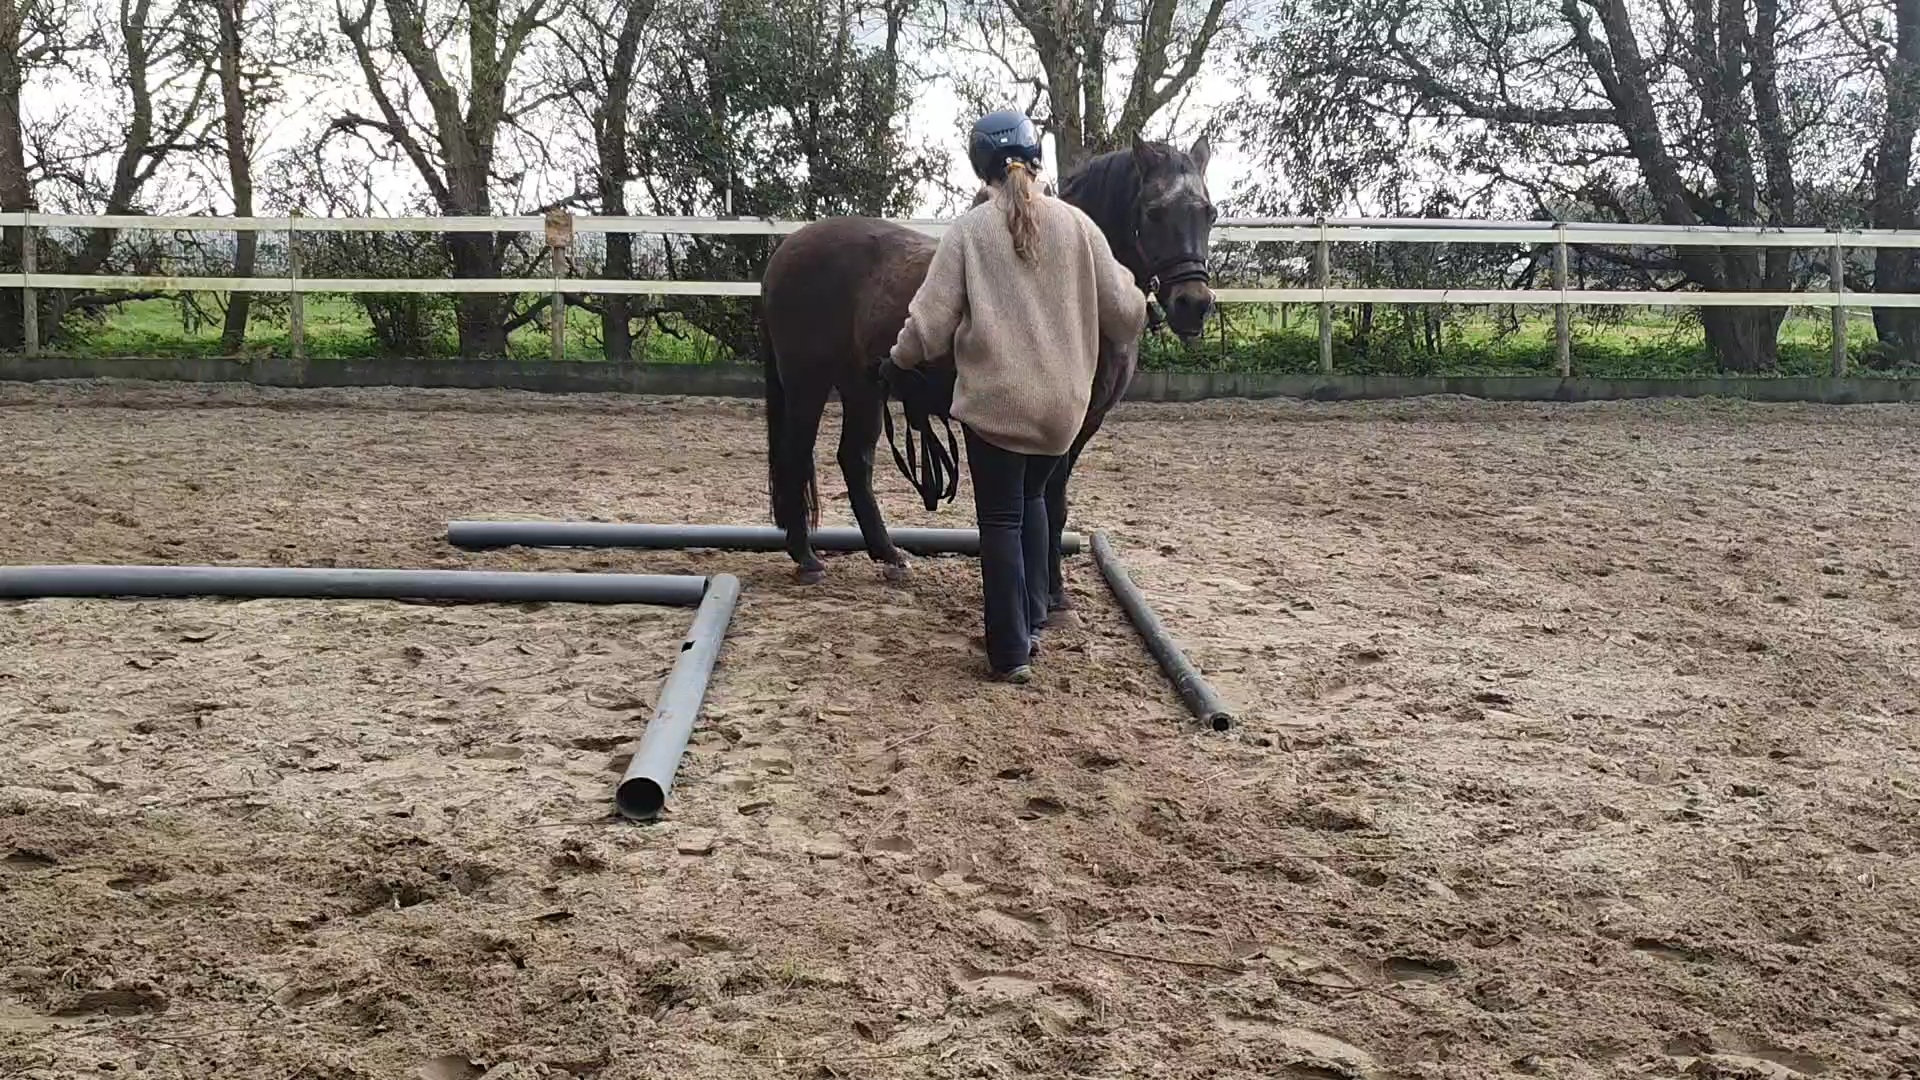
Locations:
column 1681, row 112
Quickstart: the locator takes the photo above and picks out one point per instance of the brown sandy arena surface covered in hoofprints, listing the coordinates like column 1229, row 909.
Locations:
column 1577, row 743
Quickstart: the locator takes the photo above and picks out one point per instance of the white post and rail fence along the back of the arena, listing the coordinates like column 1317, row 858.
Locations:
column 558, row 233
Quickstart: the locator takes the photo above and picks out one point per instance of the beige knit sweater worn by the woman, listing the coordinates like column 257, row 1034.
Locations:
column 1024, row 337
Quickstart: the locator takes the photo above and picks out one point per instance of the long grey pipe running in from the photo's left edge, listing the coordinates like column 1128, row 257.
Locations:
column 327, row 583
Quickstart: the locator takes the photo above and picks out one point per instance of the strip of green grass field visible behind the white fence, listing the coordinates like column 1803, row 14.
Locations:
column 1249, row 339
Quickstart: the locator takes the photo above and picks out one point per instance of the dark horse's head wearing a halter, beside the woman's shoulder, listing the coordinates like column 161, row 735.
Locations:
column 1174, row 224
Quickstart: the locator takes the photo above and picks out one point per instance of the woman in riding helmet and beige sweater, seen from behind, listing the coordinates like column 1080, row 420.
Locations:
column 1020, row 295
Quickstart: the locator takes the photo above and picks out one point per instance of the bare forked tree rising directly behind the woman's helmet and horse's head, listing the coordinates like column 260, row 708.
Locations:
column 1067, row 49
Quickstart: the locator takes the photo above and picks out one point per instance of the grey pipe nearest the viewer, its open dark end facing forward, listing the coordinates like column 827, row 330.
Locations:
column 650, row 777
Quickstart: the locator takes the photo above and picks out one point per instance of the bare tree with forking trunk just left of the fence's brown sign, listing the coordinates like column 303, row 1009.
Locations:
column 454, row 145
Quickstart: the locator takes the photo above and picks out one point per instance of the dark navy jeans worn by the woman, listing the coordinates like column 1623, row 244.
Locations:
column 1015, row 539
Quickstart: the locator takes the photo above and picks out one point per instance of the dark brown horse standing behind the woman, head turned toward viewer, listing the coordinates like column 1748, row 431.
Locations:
column 834, row 297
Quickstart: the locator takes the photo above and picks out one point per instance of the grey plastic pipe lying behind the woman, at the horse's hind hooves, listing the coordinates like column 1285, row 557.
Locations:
column 475, row 535
